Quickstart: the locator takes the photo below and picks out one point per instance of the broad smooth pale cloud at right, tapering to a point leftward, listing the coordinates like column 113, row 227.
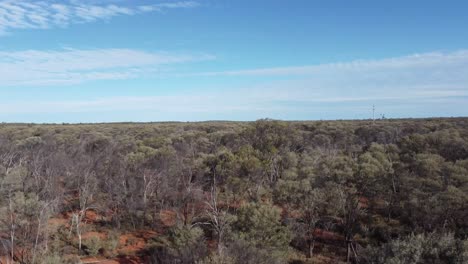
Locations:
column 435, row 75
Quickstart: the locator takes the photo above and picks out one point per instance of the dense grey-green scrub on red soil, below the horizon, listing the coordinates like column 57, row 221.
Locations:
column 263, row 192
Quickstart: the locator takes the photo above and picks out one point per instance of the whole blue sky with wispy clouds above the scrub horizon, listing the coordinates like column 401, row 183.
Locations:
column 80, row 61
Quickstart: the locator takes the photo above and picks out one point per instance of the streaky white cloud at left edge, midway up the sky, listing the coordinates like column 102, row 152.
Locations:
column 69, row 66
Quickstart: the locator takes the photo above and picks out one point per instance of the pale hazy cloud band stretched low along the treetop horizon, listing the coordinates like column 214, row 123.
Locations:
column 235, row 103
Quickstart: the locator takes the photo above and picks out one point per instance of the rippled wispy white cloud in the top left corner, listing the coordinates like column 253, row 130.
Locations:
column 45, row 14
